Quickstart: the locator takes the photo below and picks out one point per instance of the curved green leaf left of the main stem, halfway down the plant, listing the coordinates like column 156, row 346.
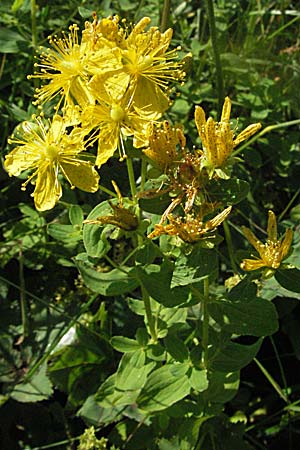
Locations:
column 114, row 282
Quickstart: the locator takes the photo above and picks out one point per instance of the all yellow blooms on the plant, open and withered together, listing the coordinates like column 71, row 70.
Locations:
column 111, row 83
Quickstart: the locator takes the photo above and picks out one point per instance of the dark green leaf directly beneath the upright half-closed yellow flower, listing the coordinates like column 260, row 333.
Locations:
column 229, row 192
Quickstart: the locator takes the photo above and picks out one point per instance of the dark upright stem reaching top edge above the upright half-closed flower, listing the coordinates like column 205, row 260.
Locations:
column 214, row 41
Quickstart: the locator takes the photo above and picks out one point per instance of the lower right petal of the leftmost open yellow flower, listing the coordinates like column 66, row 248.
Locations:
column 81, row 174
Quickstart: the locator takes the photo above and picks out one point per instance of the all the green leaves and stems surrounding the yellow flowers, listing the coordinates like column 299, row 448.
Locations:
column 153, row 342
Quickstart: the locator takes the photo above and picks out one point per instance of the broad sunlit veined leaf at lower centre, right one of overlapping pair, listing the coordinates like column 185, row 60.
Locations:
column 164, row 387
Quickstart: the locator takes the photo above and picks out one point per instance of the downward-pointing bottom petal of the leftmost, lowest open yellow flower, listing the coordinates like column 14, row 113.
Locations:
column 48, row 190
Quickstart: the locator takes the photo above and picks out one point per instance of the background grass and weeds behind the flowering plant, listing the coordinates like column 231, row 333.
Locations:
column 42, row 297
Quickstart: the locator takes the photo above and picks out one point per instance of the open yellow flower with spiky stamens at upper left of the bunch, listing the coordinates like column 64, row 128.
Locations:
column 63, row 67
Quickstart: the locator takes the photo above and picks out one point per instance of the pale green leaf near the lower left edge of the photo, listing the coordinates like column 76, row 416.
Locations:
column 36, row 389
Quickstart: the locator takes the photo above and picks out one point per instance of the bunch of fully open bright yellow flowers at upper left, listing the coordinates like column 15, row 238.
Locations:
column 108, row 85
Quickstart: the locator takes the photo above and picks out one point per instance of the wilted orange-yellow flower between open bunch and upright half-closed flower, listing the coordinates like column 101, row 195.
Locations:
column 163, row 140
